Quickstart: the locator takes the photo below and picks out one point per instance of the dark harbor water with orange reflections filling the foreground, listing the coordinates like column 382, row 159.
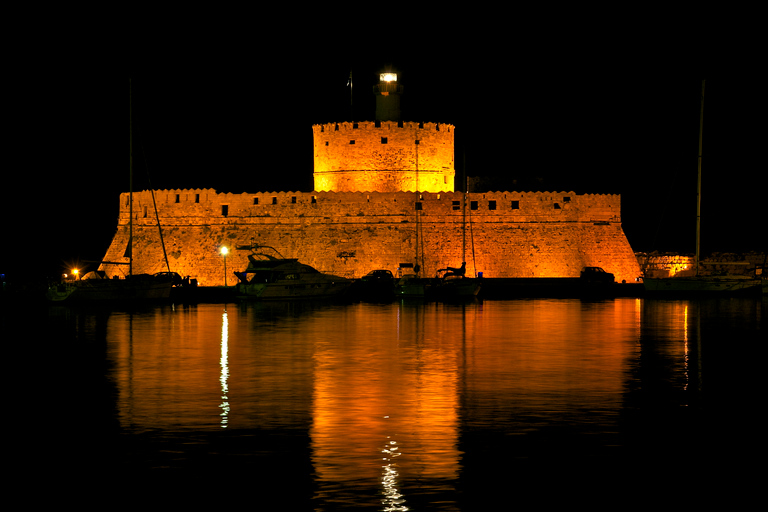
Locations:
column 489, row 405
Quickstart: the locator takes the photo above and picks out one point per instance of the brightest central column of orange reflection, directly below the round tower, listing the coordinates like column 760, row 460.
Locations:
column 388, row 376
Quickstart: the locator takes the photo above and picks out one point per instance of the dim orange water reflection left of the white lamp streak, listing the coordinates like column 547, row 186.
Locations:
column 167, row 369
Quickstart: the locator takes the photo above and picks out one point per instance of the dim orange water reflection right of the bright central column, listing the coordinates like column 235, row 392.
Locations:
column 536, row 361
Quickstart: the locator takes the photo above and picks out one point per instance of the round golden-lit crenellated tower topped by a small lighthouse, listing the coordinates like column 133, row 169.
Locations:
column 385, row 155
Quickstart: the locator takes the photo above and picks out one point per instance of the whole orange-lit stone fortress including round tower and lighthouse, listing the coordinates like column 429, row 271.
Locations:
column 384, row 196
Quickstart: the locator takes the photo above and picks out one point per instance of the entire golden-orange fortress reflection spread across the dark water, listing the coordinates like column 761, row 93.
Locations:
column 384, row 391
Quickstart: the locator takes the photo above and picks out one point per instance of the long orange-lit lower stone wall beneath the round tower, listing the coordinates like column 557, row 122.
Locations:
column 502, row 234
